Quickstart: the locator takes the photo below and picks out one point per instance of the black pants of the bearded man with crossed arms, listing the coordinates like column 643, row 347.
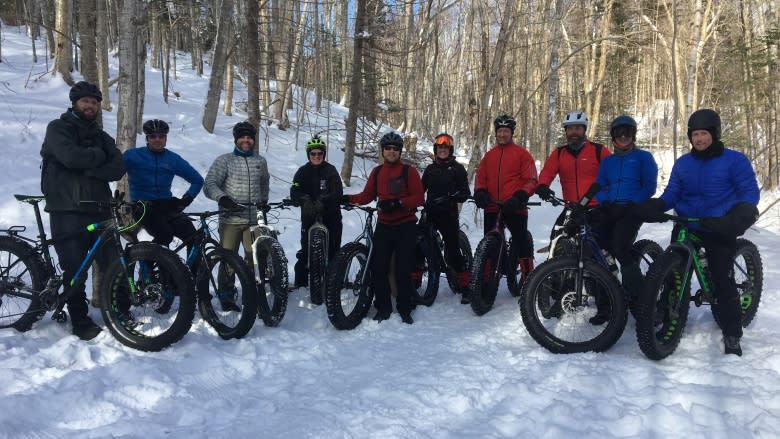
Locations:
column 72, row 242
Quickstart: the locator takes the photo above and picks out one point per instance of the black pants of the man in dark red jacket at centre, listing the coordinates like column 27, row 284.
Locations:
column 398, row 239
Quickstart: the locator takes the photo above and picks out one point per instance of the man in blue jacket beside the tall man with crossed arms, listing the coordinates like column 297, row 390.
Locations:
column 150, row 173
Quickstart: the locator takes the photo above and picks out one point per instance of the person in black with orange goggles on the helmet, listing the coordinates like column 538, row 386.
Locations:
column 446, row 184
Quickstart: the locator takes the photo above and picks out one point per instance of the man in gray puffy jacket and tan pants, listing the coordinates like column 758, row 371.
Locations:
column 237, row 181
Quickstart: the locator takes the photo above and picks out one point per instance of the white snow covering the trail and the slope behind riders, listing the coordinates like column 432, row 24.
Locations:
column 451, row 374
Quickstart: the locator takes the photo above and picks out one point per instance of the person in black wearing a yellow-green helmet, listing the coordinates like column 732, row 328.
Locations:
column 317, row 188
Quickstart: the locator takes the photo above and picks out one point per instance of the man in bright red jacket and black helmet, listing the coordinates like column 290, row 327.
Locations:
column 507, row 173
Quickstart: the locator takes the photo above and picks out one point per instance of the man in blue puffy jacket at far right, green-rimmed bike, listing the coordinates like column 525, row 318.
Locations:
column 718, row 185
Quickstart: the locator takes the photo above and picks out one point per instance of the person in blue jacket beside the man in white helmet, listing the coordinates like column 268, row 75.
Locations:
column 628, row 176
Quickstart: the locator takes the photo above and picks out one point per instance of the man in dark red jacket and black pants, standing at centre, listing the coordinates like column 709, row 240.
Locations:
column 399, row 191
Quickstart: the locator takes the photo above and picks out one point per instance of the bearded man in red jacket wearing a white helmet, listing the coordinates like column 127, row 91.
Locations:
column 576, row 164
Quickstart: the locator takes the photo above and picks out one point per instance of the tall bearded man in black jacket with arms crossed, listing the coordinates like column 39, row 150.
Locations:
column 79, row 160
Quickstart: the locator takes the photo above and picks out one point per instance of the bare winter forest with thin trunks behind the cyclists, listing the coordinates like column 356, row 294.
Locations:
column 425, row 66
